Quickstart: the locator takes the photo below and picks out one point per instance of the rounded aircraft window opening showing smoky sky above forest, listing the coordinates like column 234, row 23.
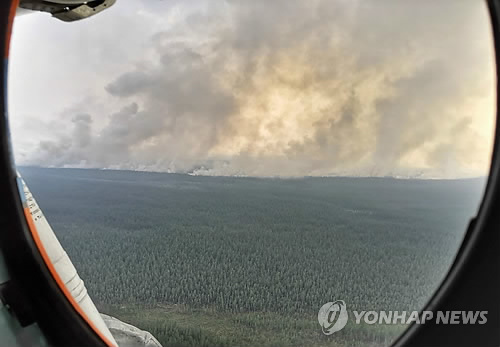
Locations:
column 283, row 173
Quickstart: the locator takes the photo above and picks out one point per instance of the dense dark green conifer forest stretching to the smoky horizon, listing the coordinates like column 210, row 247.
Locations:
column 205, row 261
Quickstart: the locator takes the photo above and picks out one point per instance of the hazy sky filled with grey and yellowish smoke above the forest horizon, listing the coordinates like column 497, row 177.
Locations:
column 264, row 88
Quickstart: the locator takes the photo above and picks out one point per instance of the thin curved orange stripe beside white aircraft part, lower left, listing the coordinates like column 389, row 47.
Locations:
column 58, row 279
